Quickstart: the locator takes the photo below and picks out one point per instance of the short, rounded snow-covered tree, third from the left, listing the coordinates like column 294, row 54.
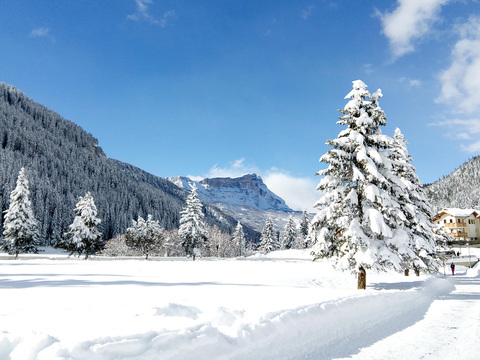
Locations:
column 145, row 235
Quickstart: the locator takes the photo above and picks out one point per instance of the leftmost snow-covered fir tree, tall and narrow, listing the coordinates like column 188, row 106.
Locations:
column 20, row 226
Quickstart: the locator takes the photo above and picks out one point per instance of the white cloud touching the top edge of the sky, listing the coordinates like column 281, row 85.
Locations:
column 410, row 21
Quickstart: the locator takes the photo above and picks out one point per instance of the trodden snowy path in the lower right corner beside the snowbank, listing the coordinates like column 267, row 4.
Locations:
column 449, row 330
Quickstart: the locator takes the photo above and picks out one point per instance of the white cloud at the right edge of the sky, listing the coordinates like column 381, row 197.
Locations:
column 461, row 81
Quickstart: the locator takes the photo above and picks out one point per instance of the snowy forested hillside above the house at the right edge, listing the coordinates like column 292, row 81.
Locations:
column 459, row 189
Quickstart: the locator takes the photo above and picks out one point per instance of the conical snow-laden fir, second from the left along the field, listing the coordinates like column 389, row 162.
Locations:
column 84, row 235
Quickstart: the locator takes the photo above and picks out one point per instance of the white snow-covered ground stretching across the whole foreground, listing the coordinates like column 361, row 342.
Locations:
column 281, row 306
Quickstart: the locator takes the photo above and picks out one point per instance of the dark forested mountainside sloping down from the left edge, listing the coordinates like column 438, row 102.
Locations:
column 63, row 162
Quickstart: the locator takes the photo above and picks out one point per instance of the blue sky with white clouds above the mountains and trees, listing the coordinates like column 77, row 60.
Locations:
column 223, row 88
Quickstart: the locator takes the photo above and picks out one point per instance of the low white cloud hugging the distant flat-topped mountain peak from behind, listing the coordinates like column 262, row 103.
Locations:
column 298, row 192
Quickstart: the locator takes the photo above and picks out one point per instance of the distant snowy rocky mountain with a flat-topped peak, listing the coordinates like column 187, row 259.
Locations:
column 246, row 199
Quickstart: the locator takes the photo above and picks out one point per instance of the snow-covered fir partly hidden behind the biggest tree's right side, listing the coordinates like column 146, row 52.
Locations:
column 418, row 226
